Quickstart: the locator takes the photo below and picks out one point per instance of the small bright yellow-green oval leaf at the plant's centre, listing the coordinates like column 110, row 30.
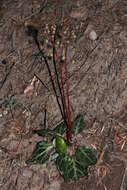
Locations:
column 60, row 145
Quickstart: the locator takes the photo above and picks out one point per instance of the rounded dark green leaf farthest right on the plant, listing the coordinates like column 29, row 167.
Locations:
column 85, row 156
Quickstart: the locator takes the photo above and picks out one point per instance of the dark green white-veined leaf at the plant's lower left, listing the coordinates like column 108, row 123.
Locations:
column 41, row 153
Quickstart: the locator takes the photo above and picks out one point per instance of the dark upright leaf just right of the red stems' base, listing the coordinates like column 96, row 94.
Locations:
column 78, row 125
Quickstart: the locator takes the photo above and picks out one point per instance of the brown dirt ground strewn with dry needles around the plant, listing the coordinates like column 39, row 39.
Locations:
column 97, row 88
